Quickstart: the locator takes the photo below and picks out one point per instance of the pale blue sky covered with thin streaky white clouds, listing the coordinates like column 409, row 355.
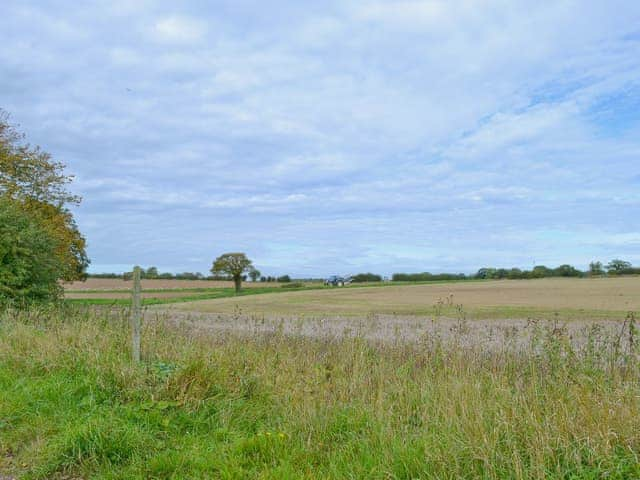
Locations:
column 336, row 137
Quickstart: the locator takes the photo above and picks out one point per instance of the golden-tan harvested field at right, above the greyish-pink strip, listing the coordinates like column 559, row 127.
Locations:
column 600, row 298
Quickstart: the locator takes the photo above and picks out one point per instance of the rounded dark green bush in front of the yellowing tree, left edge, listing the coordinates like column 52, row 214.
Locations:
column 29, row 267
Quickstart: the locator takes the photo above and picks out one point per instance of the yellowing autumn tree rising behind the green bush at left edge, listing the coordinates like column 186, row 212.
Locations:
column 38, row 185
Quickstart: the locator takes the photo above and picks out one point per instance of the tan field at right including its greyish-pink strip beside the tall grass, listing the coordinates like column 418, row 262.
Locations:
column 494, row 315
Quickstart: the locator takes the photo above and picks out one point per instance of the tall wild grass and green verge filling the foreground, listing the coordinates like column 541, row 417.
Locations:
column 73, row 406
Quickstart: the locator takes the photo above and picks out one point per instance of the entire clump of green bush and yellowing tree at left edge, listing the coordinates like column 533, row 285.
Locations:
column 41, row 243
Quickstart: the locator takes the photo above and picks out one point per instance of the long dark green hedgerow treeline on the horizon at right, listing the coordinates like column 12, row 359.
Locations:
column 613, row 268
